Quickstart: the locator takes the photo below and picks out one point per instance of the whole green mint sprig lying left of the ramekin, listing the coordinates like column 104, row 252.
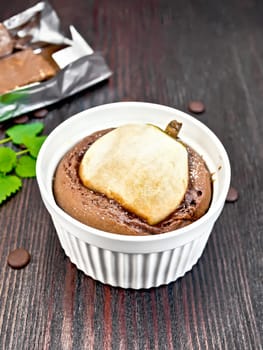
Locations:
column 15, row 165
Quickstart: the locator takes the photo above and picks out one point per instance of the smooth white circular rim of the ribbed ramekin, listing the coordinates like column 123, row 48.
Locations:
column 213, row 210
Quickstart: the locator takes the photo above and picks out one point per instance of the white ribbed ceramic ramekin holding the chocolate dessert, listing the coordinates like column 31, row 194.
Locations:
column 130, row 261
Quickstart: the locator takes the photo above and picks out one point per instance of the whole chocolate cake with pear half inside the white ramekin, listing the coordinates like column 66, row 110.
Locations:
column 135, row 179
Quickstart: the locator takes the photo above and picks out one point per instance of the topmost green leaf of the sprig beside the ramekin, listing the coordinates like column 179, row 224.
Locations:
column 19, row 132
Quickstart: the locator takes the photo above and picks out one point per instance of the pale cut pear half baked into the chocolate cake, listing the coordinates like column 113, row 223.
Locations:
column 140, row 167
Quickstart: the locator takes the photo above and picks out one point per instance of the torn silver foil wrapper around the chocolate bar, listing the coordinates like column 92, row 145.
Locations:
column 79, row 66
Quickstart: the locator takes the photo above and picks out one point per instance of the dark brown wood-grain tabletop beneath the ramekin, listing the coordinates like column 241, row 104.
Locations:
column 167, row 52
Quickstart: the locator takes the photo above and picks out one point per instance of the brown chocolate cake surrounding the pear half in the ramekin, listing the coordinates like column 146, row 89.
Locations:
column 99, row 211
